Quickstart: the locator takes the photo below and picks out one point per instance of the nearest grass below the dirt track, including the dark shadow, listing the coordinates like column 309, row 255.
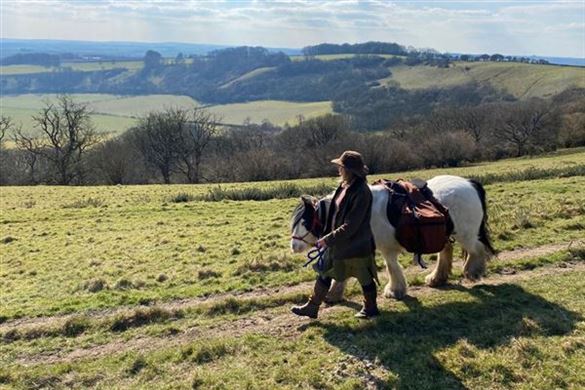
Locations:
column 529, row 334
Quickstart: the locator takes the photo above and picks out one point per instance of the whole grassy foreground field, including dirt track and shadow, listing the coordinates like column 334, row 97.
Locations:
column 122, row 286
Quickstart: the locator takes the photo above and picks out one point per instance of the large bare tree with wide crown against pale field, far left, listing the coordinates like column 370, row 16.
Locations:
column 66, row 132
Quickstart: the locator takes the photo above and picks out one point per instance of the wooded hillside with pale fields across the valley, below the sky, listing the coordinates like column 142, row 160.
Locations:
column 374, row 91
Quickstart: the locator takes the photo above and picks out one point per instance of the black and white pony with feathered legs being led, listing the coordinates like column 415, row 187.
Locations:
column 466, row 202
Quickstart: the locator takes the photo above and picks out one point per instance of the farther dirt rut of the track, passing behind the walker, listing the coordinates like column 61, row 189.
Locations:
column 189, row 303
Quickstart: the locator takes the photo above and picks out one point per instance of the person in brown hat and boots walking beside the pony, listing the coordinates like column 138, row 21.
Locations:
column 347, row 241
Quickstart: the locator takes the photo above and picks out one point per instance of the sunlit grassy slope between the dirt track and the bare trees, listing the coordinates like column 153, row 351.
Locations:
column 56, row 239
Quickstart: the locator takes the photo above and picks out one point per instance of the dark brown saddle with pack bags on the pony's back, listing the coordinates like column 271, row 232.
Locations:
column 422, row 223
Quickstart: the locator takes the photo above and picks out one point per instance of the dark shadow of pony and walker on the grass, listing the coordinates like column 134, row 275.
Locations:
column 405, row 342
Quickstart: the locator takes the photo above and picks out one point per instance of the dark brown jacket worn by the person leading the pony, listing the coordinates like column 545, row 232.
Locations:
column 351, row 236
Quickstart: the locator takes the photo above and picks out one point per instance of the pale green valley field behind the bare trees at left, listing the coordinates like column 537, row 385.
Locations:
column 114, row 114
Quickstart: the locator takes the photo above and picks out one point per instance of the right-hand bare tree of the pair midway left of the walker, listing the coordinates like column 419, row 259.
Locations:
column 202, row 126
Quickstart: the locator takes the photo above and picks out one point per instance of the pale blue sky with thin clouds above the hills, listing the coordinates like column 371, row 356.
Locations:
column 521, row 27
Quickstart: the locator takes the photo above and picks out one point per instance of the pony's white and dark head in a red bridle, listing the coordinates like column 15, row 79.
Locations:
column 305, row 224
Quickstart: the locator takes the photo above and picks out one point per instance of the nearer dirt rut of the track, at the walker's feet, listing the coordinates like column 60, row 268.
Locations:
column 277, row 322
